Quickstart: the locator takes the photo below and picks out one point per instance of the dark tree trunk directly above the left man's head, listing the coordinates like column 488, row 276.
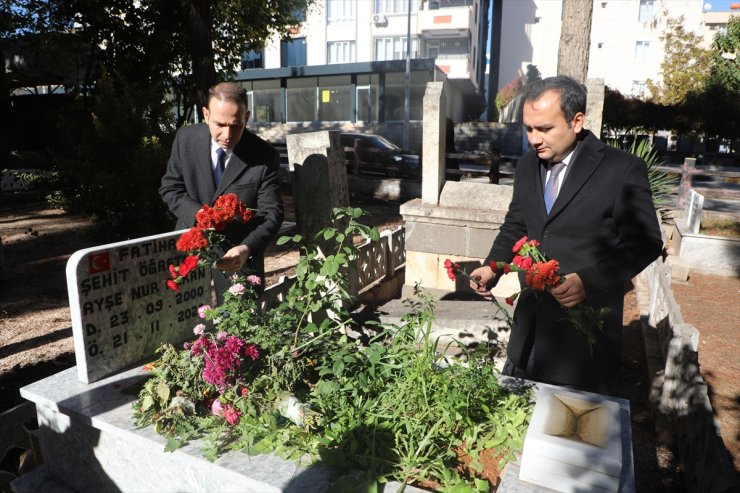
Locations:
column 204, row 73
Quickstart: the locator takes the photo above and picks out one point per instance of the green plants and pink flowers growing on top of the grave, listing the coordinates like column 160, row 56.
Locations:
column 385, row 402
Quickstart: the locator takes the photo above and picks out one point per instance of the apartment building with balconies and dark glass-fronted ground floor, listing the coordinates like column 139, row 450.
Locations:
column 359, row 44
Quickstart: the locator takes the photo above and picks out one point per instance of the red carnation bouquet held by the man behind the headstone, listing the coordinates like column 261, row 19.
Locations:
column 202, row 242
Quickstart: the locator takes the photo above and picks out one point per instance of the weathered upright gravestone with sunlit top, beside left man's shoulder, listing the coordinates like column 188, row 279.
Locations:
column 316, row 161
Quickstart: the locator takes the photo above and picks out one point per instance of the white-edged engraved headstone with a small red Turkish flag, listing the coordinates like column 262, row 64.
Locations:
column 121, row 308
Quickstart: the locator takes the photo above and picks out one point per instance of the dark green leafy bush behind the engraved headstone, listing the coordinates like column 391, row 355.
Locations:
column 118, row 157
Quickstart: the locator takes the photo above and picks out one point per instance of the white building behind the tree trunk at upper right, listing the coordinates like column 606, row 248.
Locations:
column 626, row 48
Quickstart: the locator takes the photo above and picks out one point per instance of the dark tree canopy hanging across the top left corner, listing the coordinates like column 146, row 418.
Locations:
column 181, row 47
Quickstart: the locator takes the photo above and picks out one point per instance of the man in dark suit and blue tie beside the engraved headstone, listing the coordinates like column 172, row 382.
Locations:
column 222, row 157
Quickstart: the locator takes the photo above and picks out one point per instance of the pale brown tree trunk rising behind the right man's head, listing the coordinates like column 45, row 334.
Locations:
column 575, row 39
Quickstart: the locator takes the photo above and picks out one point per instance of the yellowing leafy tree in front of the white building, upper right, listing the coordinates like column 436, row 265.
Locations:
column 685, row 67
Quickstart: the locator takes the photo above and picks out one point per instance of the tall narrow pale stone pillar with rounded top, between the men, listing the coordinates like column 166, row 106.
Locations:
column 434, row 140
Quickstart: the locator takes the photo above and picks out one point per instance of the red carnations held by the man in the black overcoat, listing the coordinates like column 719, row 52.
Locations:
column 540, row 274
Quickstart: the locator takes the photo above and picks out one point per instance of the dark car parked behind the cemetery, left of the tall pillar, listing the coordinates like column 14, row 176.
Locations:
column 378, row 155
